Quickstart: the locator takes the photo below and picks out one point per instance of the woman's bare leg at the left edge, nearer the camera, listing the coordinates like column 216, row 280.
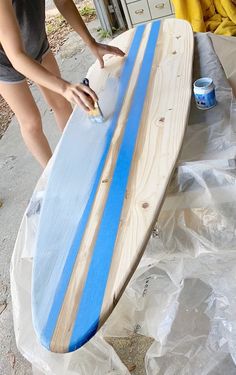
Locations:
column 21, row 101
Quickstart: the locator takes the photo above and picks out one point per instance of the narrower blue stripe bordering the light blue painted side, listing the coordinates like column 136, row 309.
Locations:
column 47, row 333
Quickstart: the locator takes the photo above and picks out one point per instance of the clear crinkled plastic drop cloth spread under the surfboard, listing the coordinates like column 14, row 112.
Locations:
column 183, row 293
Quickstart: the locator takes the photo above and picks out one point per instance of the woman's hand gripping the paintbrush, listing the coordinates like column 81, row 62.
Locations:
column 81, row 95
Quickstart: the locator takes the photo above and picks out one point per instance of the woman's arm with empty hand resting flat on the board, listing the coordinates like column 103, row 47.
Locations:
column 69, row 11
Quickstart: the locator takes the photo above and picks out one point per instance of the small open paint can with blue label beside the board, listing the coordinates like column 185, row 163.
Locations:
column 204, row 92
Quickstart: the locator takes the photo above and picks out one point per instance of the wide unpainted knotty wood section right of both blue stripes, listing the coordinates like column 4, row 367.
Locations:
column 156, row 151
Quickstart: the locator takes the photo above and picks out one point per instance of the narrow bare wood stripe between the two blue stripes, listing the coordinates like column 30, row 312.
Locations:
column 67, row 316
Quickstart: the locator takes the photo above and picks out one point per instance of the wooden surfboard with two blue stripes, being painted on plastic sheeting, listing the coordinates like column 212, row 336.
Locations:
column 108, row 181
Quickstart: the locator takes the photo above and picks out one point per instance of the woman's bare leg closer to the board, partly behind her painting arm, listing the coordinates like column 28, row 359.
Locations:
column 61, row 107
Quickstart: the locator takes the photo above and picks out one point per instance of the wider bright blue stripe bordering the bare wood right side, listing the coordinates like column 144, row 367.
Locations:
column 89, row 310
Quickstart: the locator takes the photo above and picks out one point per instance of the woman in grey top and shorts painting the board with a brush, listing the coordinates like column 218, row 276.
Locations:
column 25, row 52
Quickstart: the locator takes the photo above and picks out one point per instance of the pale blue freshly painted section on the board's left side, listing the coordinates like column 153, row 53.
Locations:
column 67, row 192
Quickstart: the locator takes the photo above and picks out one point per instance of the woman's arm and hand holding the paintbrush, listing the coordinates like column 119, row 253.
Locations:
column 12, row 44
